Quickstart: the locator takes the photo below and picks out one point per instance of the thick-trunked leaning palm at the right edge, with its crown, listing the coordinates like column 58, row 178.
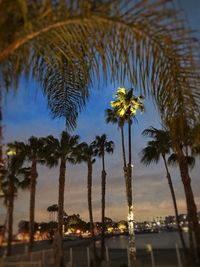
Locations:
column 182, row 141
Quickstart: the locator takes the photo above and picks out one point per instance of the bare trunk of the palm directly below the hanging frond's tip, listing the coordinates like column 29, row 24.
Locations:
column 61, row 196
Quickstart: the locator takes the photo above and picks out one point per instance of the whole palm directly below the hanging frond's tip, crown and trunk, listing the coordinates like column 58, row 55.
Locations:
column 60, row 151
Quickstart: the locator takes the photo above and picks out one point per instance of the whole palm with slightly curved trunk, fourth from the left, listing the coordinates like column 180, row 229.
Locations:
column 85, row 153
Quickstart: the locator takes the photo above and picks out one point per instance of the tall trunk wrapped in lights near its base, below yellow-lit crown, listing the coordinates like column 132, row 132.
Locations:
column 132, row 247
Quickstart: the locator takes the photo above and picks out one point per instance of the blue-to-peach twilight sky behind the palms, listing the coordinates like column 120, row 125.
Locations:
column 25, row 114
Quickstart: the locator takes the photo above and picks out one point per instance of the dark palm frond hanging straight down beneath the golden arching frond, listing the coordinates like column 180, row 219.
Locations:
column 65, row 88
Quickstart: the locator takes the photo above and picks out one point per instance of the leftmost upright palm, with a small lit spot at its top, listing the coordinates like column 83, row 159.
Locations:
column 14, row 177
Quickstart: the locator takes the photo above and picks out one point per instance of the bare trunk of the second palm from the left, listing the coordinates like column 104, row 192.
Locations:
column 32, row 204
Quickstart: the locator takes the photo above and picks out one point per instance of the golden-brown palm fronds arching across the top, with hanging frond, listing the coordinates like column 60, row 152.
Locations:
column 138, row 40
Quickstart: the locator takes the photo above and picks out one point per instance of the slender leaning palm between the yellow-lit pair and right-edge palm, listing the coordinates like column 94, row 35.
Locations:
column 159, row 147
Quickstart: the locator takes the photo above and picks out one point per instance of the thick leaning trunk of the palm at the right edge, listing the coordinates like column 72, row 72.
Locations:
column 191, row 206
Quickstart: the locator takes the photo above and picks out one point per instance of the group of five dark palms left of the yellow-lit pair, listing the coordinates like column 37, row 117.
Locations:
column 52, row 152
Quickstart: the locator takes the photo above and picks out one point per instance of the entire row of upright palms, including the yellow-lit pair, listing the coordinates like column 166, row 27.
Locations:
column 52, row 151
